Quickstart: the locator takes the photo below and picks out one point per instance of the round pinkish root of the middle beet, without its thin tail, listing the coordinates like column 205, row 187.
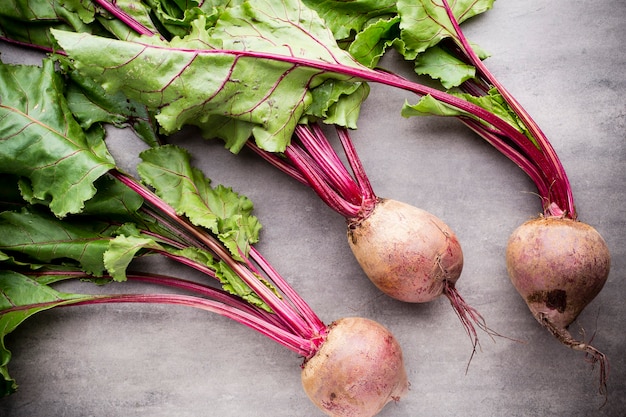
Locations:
column 407, row 252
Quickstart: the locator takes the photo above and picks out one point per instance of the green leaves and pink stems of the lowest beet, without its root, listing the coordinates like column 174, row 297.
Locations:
column 207, row 228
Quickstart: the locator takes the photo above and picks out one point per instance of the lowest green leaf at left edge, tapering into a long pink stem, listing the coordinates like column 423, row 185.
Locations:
column 20, row 298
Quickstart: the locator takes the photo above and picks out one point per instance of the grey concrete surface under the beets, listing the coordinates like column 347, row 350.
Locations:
column 566, row 63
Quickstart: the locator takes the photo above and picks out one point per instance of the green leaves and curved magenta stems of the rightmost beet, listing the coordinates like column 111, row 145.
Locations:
column 445, row 54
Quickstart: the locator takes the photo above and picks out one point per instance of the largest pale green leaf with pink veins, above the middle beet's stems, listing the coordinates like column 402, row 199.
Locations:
column 201, row 80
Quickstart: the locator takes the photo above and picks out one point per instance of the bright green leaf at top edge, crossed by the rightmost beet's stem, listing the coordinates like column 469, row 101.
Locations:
column 425, row 23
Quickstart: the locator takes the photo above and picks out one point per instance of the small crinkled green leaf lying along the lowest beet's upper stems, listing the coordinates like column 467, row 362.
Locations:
column 222, row 211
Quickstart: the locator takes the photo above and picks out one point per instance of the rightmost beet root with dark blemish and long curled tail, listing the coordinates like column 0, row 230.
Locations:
column 558, row 266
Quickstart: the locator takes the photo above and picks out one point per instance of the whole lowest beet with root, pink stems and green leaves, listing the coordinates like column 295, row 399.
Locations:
column 175, row 212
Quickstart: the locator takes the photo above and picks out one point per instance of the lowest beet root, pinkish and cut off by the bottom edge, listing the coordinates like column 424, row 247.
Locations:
column 356, row 371
